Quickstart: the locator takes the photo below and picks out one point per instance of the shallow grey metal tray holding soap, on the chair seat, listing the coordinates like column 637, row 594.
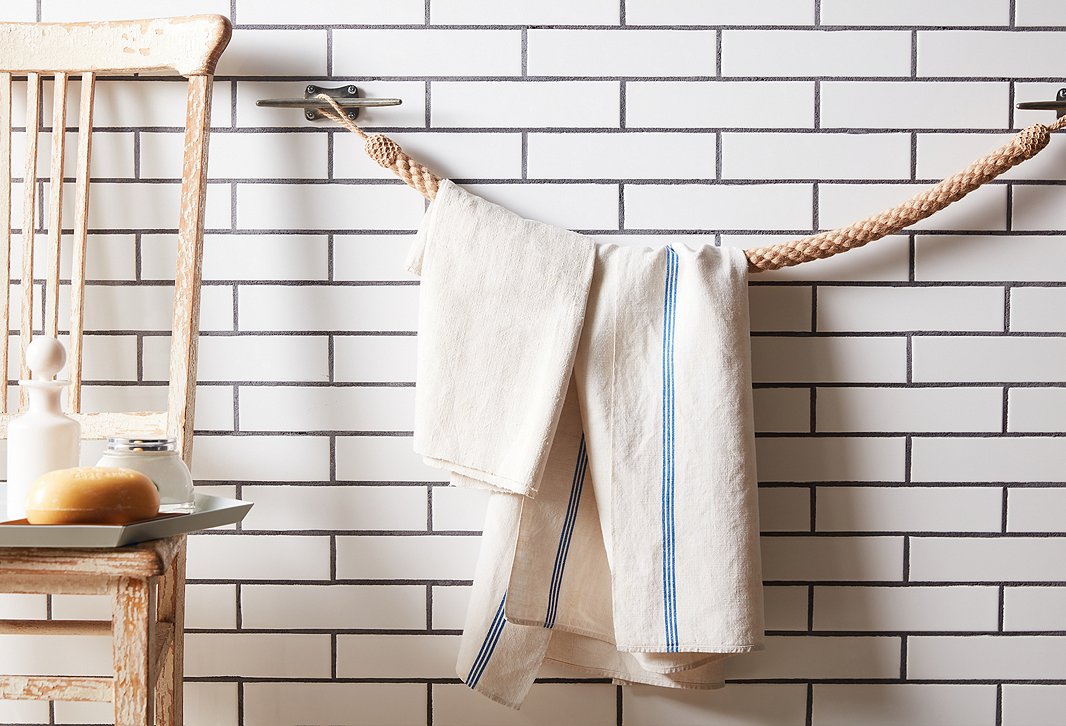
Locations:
column 209, row 512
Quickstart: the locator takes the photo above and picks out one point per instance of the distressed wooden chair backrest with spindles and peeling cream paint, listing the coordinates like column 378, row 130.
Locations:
column 189, row 47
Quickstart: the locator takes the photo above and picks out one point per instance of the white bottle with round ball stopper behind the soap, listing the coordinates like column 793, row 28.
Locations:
column 42, row 439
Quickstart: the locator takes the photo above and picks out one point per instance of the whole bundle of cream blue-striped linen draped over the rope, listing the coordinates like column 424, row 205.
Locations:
column 604, row 394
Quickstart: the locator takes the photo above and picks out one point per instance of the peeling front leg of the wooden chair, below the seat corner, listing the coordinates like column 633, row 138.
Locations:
column 132, row 620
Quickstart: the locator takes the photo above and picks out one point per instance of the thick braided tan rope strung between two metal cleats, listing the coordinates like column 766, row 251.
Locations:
column 1027, row 144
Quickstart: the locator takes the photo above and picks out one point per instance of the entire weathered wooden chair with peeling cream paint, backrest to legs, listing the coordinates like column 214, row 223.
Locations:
column 147, row 583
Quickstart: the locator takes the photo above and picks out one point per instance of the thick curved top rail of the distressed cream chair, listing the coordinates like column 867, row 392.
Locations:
column 189, row 46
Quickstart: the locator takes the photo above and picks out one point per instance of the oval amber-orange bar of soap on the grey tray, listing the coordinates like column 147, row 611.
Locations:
column 92, row 496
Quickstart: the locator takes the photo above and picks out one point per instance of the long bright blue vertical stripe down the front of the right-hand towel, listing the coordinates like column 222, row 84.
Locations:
column 670, row 582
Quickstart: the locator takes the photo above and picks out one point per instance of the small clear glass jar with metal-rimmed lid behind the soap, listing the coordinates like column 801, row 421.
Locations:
column 158, row 460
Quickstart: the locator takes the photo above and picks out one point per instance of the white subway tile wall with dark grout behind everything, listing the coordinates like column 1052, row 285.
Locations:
column 910, row 398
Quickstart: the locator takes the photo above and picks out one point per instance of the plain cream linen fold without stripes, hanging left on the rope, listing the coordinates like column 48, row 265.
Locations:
column 503, row 300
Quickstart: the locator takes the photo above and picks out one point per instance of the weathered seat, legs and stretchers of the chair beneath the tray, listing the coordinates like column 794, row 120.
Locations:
column 147, row 586
